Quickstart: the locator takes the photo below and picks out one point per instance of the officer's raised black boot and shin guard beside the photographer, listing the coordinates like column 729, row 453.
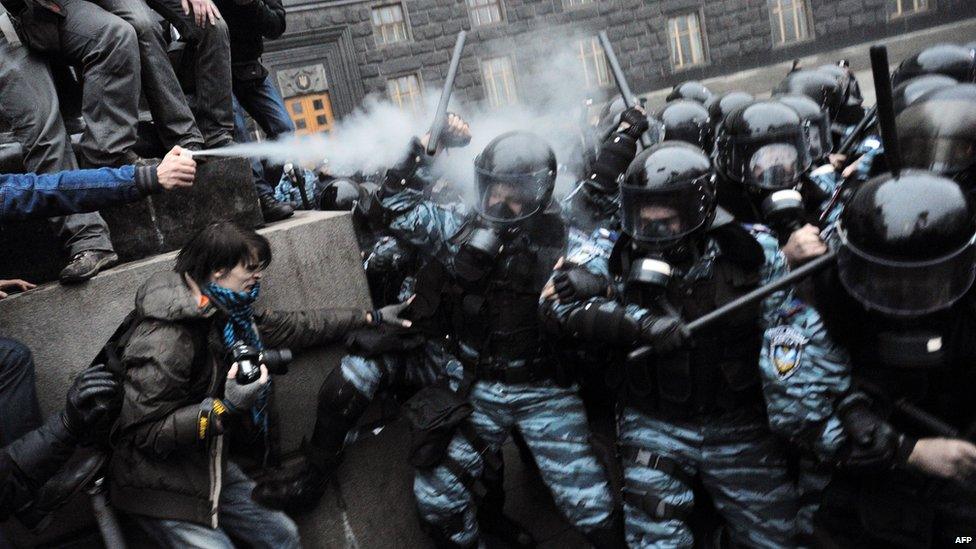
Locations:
column 340, row 407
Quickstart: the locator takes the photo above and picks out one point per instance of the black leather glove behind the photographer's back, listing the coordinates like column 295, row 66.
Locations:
column 94, row 396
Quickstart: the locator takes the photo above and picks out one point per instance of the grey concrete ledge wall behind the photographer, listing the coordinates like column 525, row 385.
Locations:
column 316, row 264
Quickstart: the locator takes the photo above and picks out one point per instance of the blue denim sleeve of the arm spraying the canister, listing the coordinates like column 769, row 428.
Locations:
column 29, row 196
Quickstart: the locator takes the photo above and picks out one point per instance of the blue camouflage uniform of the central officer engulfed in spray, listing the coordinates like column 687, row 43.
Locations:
column 549, row 417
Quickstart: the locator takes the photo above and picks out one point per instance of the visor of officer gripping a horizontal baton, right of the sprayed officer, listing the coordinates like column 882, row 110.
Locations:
column 665, row 216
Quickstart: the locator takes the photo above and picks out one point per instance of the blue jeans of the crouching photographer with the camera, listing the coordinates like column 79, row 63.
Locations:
column 238, row 516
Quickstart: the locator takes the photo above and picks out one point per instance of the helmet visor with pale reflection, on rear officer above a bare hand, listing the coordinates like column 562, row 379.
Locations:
column 770, row 165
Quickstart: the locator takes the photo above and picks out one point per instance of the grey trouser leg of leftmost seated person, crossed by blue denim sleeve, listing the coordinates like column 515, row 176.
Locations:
column 29, row 112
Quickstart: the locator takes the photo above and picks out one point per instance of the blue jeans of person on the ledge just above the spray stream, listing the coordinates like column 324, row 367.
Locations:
column 262, row 101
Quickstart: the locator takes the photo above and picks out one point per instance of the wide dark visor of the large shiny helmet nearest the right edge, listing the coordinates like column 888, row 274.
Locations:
column 904, row 288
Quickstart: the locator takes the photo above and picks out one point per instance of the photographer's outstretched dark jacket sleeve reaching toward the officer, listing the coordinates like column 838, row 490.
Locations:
column 300, row 329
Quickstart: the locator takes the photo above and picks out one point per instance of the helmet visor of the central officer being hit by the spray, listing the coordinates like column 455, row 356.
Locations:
column 512, row 198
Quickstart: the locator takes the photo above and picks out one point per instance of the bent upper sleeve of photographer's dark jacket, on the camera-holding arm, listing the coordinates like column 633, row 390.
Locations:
column 155, row 415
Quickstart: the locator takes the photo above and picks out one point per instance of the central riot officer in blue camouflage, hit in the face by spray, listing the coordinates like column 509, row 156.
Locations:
column 495, row 264
